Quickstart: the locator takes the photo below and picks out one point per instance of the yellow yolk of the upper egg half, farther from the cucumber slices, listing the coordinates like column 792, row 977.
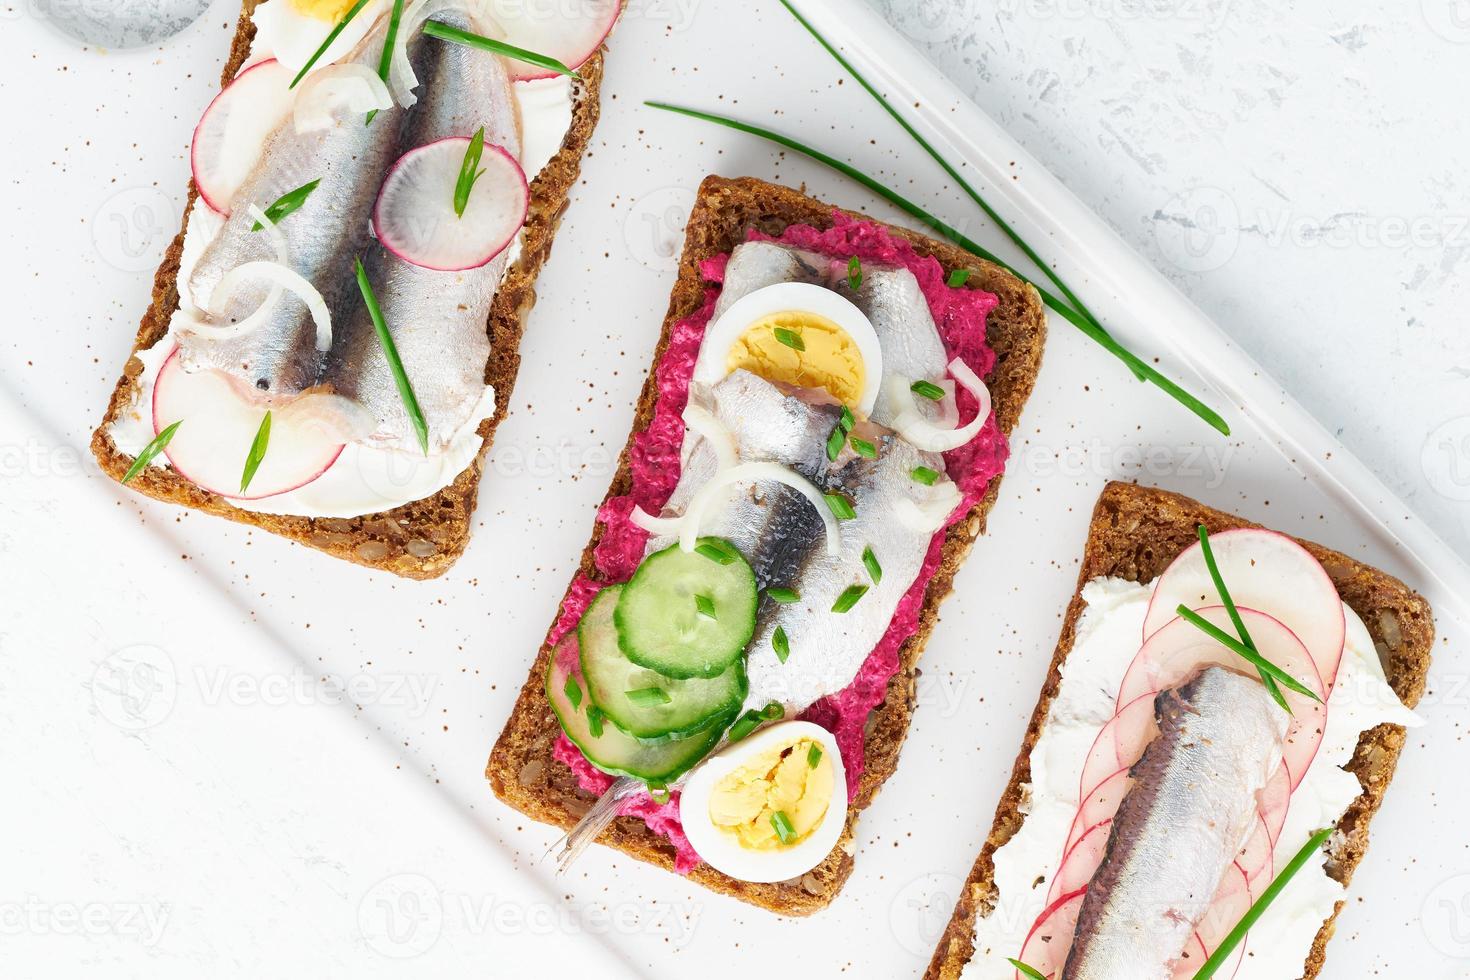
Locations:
column 828, row 358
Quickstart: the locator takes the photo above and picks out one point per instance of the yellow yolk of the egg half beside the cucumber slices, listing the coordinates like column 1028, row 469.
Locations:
column 781, row 781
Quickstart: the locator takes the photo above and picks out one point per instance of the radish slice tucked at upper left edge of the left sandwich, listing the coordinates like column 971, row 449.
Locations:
column 233, row 131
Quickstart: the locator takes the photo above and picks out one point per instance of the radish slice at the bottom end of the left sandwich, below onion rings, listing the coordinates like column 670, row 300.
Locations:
column 220, row 425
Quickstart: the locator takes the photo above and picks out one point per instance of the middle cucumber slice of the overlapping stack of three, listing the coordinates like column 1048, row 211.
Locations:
column 692, row 705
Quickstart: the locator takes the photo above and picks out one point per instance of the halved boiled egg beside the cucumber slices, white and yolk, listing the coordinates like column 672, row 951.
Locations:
column 770, row 807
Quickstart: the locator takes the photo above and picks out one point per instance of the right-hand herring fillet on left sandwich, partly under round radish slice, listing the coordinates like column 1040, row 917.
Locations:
column 437, row 320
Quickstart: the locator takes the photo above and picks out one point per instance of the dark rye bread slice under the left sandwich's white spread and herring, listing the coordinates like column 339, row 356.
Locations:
column 424, row 538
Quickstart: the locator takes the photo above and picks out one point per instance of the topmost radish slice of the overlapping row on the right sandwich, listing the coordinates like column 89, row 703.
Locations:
column 1265, row 571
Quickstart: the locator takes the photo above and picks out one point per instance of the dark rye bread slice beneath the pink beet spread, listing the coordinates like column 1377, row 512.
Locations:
column 521, row 766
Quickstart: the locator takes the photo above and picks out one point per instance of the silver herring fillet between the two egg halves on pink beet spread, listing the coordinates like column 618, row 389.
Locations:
column 781, row 533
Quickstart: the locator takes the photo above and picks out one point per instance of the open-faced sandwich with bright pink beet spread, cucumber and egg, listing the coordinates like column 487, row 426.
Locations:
column 820, row 442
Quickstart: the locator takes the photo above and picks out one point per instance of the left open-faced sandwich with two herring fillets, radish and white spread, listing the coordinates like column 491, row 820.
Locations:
column 334, row 333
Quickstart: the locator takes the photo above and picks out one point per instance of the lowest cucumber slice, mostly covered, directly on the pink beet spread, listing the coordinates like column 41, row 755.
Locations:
column 612, row 750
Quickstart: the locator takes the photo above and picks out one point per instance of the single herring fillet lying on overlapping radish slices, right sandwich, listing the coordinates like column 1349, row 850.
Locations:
column 1181, row 825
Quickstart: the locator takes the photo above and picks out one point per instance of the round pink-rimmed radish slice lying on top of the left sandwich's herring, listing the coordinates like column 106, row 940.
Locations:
column 415, row 214
